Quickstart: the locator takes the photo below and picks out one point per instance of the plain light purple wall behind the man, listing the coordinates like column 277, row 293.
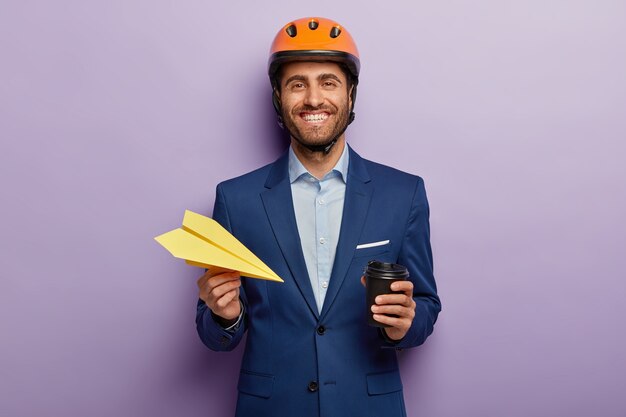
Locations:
column 115, row 116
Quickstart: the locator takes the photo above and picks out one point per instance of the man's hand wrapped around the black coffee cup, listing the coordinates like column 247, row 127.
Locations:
column 401, row 305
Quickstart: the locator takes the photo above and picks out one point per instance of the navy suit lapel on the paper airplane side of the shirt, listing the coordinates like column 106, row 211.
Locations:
column 278, row 205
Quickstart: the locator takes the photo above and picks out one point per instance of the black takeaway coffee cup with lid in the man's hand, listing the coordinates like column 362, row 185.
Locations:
column 378, row 279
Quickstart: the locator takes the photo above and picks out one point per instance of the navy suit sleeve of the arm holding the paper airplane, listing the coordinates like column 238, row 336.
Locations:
column 214, row 336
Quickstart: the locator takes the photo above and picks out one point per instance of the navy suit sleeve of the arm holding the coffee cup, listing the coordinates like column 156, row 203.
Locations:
column 416, row 255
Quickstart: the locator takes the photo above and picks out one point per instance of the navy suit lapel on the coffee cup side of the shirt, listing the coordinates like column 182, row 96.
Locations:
column 356, row 205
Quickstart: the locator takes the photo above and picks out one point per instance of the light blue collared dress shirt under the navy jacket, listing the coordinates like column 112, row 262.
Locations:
column 318, row 205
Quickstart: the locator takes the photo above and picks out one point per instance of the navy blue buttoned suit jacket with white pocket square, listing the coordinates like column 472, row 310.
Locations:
column 299, row 362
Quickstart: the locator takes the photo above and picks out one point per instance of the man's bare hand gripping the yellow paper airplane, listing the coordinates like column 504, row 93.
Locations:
column 220, row 292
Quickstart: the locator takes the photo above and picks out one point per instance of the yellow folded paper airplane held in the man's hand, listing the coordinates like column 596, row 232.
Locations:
column 205, row 243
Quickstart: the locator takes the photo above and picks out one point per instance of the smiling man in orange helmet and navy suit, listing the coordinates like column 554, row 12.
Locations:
column 316, row 216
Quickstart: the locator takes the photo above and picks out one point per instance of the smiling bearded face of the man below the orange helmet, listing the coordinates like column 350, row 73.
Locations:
column 315, row 101
